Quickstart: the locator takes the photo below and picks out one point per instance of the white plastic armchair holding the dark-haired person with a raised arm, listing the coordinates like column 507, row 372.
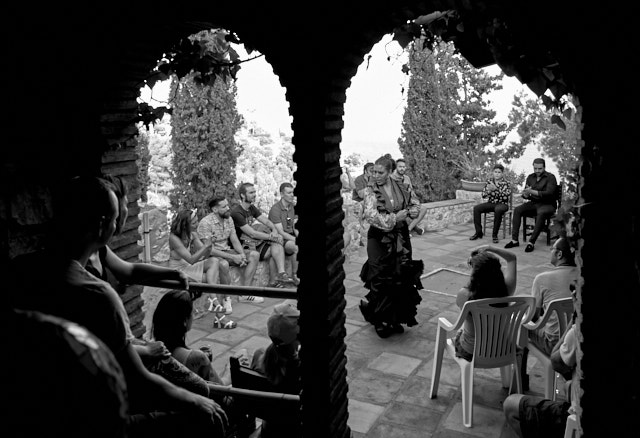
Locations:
column 496, row 336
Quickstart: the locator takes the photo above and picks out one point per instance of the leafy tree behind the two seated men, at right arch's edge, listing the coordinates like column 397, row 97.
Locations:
column 557, row 136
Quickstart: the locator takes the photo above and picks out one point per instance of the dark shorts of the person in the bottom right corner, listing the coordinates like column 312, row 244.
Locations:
column 541, row 417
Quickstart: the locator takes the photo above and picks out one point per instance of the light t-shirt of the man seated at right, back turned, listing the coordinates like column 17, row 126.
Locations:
column 552, row 285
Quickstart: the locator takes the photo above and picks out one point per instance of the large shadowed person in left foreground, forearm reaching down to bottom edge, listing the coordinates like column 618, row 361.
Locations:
column 156, row 406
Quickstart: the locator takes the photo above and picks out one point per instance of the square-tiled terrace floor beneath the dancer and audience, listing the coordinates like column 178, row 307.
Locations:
column 389, row 379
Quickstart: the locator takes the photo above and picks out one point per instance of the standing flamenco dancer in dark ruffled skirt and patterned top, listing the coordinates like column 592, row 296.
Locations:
column 392, row 277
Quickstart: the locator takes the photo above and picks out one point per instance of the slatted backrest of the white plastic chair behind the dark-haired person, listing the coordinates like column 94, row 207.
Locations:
column 497, row 328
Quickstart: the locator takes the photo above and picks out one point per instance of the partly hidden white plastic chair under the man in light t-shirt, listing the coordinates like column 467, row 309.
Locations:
column 563, row 308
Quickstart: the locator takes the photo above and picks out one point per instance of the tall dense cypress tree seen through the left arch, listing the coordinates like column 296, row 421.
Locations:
column 204, row 121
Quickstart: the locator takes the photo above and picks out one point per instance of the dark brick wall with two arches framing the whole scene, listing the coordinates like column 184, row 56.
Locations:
column 94, row 86
